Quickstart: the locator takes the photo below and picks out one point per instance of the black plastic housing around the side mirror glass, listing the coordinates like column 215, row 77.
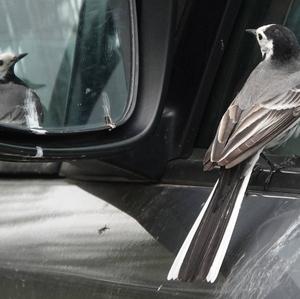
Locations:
column 152, row 71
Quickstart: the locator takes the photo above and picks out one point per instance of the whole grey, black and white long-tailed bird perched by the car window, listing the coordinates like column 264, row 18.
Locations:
column 264, row 114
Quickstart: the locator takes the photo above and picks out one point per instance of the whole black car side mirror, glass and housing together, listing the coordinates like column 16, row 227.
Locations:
column 75, row 94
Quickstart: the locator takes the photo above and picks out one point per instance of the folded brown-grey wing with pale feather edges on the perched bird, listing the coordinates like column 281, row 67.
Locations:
column 241, row 134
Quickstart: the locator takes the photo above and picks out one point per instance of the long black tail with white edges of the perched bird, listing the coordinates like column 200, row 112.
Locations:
column 205, row 246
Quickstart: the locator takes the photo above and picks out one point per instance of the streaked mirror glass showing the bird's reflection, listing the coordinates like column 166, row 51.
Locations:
column 66, row 65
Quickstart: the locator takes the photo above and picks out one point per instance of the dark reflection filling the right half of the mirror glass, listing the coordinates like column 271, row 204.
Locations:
column 99, row 68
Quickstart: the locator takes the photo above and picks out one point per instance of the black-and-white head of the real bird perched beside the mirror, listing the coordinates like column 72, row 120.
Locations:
column 276, row 42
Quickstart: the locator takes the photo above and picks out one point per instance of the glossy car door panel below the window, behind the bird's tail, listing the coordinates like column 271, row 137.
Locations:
column 59, row 240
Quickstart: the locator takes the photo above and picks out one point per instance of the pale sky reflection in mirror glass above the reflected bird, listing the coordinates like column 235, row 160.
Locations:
column 44, row 29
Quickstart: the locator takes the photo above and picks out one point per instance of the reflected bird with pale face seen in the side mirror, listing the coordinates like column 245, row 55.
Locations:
column 19, row 104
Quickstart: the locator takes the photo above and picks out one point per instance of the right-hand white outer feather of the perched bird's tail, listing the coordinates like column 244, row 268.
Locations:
column 218, row 260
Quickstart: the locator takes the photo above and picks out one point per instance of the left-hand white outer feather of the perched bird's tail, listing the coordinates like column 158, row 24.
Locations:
column 174, row 271
